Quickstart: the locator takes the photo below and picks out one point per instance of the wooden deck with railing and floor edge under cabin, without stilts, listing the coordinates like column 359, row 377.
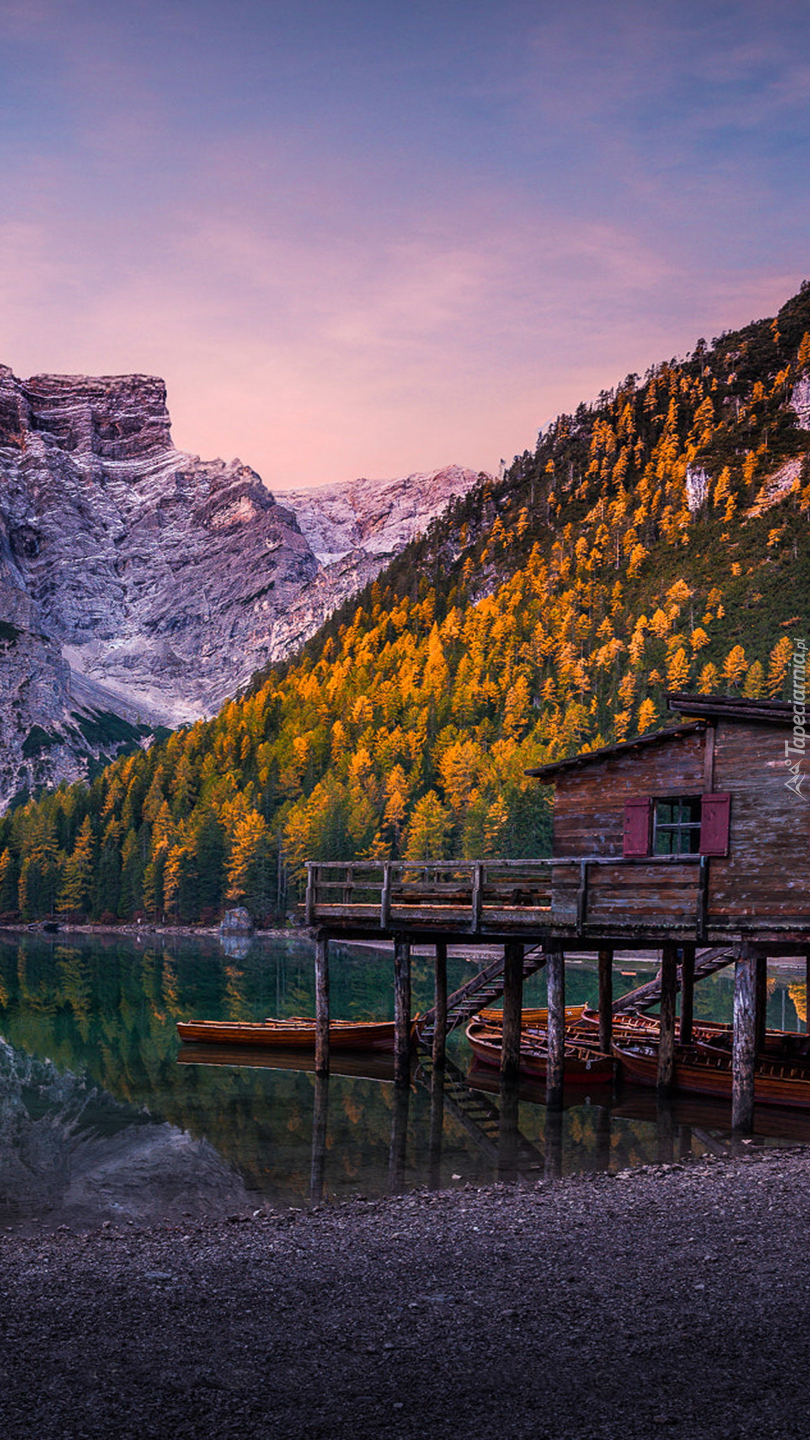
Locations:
column 589, row 899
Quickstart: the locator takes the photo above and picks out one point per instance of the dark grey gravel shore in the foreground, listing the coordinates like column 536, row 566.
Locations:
column 671, row 1300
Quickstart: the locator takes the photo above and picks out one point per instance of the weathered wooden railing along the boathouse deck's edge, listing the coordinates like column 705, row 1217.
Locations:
column 574, row 895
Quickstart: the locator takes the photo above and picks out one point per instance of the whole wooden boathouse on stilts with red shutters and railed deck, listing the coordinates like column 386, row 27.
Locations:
column 694, row 840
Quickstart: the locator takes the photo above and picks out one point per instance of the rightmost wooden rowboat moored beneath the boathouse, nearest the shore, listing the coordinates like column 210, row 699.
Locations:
column 706, row 1071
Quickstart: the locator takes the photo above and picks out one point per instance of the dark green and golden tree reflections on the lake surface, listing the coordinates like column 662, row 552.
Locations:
column 103, row 1012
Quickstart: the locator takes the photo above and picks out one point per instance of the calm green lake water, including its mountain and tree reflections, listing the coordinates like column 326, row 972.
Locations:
column 103, row 1120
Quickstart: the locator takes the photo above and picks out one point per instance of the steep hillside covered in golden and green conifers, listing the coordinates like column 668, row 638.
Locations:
column 654, row 541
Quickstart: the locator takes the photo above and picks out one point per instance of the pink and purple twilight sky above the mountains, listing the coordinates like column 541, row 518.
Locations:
column 370, row 240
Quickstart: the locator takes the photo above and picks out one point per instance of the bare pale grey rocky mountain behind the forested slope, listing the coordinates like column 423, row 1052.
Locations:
column 142, row 585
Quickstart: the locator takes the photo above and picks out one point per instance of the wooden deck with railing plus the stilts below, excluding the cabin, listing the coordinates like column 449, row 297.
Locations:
column 537, row 909
